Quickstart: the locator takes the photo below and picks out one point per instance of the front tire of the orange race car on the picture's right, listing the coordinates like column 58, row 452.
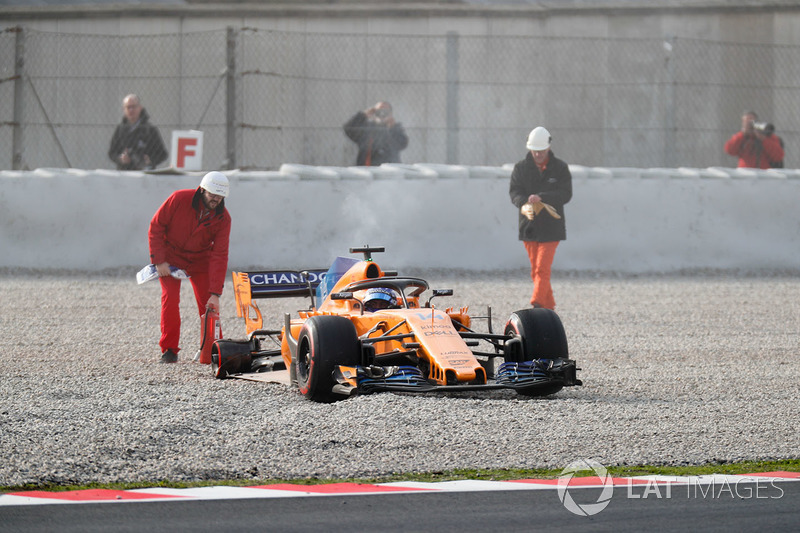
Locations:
column 543, row 337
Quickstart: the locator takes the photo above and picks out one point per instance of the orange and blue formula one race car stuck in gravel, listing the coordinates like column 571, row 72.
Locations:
column 370, row 330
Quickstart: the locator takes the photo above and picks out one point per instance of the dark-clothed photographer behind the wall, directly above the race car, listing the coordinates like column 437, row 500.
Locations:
column 378, row 136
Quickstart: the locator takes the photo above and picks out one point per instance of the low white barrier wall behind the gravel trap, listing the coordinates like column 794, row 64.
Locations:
column 626, row 220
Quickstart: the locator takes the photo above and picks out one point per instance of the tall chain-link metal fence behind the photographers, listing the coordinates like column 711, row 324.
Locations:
column 265, row 97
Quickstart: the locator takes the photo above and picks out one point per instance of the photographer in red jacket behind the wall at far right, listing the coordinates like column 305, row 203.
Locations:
column 756, row 144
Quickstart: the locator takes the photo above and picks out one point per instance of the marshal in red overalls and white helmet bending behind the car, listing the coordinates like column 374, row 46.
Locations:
column 191, row 230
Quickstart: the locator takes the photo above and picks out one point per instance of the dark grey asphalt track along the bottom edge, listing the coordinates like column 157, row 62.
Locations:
column 717, row 506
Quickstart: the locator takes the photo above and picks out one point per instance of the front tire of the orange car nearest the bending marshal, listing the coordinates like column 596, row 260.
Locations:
column 324, row 343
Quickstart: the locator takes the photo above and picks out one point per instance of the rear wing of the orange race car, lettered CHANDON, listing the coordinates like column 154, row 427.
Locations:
column 248, row 286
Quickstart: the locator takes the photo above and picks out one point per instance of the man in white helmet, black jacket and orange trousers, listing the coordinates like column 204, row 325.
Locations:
column 540, row 186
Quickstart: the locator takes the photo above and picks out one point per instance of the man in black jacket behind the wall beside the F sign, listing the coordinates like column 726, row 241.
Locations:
column 136, row 144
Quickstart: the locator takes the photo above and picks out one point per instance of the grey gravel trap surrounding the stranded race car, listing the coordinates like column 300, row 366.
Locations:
column 678, row 369
